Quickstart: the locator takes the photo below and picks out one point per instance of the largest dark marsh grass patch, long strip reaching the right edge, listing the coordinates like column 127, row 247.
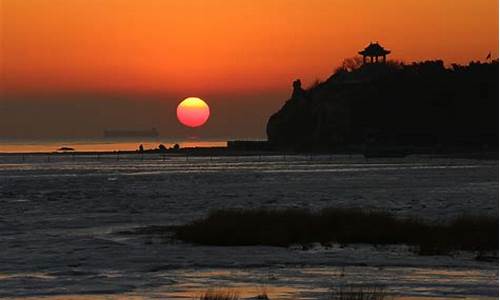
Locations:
column 284, row 227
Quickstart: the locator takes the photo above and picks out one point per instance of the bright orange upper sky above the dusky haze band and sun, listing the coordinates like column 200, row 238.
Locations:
column 190, row 46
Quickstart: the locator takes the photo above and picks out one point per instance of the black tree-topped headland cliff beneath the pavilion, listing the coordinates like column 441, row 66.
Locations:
column 422, row 105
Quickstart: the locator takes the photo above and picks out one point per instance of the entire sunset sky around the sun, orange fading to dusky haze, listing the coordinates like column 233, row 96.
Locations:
column 72, row 68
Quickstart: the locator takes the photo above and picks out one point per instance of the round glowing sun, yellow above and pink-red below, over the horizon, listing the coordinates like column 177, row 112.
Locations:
column 193, row 112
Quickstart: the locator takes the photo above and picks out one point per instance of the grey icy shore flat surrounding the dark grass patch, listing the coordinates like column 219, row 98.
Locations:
column 61, row 224
